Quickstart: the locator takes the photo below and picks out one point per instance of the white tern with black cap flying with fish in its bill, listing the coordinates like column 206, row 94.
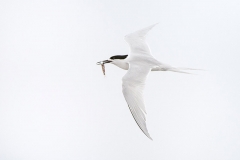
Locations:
column 139, row 63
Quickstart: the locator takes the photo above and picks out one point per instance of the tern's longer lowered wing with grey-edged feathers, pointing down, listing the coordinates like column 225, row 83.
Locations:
column 132, row 87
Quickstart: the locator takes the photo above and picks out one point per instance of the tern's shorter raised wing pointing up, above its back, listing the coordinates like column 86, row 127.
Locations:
column 136, row 41
